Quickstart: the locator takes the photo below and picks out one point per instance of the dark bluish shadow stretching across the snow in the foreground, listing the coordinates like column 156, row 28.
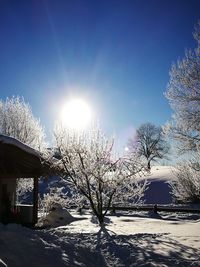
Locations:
column 55, row 247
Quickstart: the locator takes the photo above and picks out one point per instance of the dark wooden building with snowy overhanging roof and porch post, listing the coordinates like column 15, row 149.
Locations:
column 18, row 160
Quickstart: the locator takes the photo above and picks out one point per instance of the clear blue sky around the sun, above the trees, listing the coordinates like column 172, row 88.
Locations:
column 116, row 54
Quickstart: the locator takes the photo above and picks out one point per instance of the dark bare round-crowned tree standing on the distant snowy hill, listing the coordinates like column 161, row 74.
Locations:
column 149, row 143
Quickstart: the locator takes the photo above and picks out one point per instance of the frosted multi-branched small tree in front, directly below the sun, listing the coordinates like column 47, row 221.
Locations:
column 88, row 164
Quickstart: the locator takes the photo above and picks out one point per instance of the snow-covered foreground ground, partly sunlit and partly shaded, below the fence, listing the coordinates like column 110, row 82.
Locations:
column 134, row 239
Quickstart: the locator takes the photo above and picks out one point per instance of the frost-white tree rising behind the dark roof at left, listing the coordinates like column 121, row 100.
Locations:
column 17, row 120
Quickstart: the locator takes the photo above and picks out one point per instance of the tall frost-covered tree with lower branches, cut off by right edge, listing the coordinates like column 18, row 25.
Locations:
column 183, row 93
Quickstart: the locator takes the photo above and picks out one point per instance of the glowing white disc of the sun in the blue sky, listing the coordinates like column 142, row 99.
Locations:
column 76, row 114
